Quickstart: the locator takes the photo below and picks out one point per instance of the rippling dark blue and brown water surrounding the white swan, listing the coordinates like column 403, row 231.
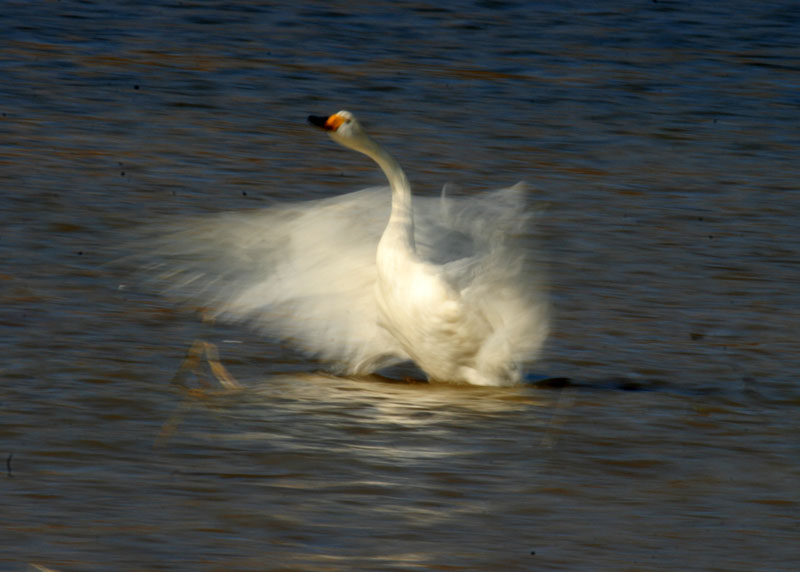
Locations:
column 662, row 137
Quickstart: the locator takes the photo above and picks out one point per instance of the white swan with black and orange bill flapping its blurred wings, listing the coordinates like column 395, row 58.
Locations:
column 373, row 278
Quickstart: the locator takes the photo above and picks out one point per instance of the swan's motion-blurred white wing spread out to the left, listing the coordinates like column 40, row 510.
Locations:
column 303, row 272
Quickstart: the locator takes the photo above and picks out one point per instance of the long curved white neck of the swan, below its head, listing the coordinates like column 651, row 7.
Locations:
column 400, row 229
